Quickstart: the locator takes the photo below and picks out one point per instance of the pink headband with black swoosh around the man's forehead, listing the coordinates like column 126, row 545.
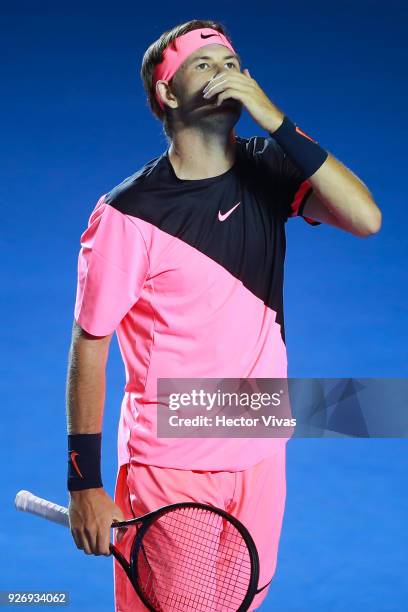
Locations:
column 185, row 45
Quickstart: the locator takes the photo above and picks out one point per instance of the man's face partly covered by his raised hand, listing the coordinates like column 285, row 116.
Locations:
column 191, row 78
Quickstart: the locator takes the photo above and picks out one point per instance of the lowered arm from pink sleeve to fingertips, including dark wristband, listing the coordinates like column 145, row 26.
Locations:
column 91, row 509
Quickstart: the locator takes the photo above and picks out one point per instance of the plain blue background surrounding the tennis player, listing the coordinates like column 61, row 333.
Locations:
column 74, row 124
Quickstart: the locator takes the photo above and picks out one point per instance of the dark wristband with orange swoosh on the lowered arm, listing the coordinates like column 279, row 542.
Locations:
column 84, row 461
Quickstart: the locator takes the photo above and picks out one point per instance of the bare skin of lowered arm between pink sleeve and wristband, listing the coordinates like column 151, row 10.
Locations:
column 86, row 382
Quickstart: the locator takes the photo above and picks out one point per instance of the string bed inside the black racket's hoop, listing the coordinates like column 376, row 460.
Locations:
column 193, row 559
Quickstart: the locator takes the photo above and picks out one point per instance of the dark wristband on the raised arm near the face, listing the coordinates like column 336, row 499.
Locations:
column 305, row 152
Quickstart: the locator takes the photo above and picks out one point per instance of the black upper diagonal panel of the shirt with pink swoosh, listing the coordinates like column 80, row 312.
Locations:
column 251, row 243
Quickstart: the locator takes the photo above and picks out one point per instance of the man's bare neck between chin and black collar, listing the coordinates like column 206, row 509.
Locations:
column 195, row 154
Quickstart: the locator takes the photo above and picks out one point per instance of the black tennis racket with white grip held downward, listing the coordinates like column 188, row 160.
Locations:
column 183, row 557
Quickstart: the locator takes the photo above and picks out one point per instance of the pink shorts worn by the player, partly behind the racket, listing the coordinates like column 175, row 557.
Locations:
column 256, row 496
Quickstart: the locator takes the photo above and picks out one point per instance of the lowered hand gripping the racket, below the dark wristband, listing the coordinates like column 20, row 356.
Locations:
column 91, row 513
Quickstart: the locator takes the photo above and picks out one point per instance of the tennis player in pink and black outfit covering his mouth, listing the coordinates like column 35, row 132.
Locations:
column 184, row 259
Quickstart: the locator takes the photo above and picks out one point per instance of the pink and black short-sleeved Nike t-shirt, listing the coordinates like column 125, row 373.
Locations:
column 190, row 275
